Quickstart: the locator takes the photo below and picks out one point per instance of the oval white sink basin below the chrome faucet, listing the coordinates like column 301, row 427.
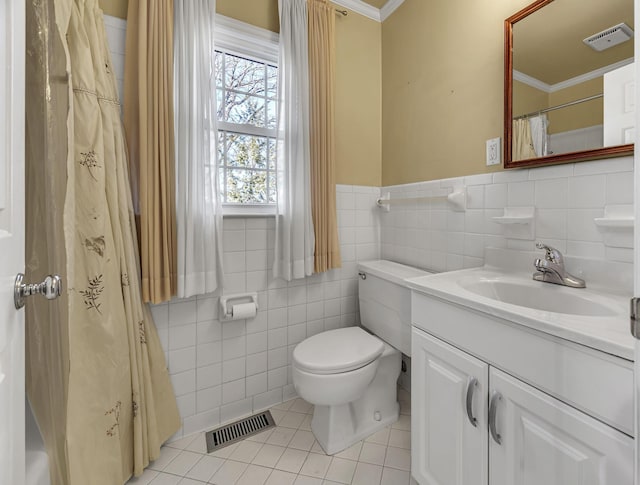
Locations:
column 538, row 296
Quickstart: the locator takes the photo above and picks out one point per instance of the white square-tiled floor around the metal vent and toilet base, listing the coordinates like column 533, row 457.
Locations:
column 289, row 455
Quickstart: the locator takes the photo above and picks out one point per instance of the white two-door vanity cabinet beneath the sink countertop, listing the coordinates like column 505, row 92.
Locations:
column 553, row 422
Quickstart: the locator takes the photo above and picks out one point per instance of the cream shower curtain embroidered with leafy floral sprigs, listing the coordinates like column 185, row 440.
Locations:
column 118, row 402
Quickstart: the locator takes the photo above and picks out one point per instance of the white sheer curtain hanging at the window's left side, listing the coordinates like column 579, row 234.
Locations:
column 198, row 208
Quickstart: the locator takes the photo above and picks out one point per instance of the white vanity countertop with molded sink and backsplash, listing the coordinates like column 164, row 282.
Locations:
column 504, row 291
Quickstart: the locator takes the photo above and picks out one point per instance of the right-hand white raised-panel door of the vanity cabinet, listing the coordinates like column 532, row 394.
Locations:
column 546, row 442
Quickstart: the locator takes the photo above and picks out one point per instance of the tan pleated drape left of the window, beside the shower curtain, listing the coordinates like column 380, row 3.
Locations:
column 148, row 117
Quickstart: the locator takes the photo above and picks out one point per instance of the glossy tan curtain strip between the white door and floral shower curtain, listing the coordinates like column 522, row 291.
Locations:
column 46, row 322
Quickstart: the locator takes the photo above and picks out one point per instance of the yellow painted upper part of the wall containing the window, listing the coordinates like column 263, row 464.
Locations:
column 358, row 83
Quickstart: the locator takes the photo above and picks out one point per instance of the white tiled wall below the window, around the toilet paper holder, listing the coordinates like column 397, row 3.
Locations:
column 222, row 370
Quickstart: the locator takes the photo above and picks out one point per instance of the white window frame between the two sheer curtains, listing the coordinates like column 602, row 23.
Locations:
column 245, row 40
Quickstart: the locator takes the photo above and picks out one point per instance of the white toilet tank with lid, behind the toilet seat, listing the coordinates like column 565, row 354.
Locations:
column 385, row 301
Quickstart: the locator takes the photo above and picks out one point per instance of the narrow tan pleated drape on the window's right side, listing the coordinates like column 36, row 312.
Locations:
column 322, row 96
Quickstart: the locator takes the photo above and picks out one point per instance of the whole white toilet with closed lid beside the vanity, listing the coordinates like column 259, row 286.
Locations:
column 350, row 374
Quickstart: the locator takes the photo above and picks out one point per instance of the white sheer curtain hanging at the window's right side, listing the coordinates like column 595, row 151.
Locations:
column 294, row 227
